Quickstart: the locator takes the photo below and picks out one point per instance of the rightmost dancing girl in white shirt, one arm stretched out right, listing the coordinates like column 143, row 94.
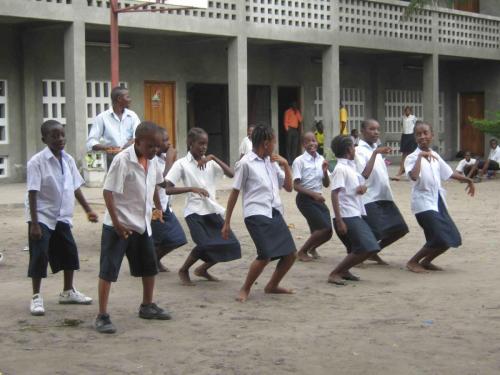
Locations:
column 426, row 169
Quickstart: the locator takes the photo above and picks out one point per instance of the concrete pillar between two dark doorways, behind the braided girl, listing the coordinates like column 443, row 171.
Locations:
column 238, row 92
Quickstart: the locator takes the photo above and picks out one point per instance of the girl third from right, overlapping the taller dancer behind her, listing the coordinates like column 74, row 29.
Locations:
column 347, row 188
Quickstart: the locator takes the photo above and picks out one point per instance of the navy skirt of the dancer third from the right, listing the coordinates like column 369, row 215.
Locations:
column 359, row 237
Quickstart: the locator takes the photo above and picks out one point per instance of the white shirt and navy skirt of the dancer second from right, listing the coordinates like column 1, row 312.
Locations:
column 382, row 214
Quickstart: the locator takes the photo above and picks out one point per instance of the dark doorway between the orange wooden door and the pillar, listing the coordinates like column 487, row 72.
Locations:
column 208, row 109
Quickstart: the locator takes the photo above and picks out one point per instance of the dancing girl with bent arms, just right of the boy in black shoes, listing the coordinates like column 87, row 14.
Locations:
column 202, row 213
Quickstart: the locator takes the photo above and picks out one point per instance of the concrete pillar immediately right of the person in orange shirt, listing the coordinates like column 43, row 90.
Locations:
column 331, row 93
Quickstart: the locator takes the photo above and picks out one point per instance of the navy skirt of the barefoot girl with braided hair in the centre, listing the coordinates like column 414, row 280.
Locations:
column 271, row 237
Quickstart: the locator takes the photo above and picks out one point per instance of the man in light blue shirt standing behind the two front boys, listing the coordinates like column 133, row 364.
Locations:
column 114, row 129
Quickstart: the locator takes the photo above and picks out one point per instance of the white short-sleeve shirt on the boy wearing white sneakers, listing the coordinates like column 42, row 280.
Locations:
column 55, row 183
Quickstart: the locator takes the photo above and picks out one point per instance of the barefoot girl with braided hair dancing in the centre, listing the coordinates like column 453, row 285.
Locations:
column 259, row 178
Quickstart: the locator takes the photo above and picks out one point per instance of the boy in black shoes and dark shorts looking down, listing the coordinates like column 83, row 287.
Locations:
column 129, row 188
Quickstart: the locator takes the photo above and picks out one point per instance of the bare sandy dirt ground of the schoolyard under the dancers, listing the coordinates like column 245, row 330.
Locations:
column 392, row 321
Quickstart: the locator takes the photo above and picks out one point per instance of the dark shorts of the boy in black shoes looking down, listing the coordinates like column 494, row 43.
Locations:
column 138, row 248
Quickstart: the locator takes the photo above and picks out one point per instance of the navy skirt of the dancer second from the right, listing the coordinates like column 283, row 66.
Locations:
column 385, row 220
